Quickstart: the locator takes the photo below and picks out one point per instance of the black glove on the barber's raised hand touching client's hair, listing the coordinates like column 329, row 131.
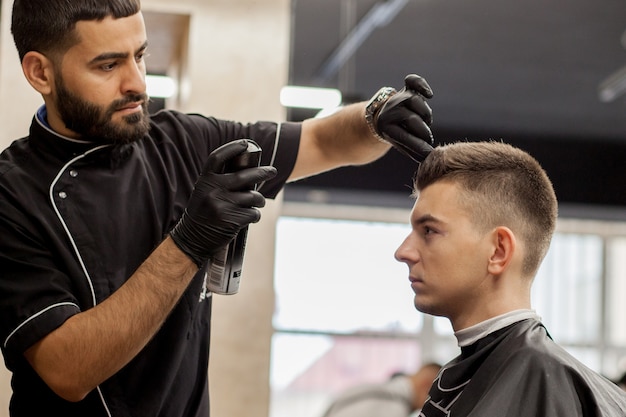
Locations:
column 405, row 119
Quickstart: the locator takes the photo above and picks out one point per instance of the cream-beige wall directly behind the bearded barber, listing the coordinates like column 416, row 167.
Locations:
column 238, row 60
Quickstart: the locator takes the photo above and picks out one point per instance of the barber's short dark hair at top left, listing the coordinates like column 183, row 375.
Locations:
column 48, row 26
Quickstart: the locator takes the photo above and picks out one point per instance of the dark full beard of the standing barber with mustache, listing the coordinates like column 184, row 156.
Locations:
column 92, row 122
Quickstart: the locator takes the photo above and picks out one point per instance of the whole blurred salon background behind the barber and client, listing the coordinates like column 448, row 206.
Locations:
column 323, row 305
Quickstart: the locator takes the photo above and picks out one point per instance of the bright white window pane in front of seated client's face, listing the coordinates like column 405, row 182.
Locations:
column 340, row 276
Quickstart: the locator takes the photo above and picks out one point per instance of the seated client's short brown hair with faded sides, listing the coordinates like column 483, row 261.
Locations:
column 501, row 186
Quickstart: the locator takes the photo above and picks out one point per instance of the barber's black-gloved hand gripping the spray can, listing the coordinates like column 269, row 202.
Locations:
column 220, row 204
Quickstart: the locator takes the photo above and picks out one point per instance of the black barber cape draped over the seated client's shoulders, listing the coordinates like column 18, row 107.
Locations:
column 518, row 371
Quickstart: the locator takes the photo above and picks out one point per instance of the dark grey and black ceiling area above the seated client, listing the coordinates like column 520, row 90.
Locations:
column 527, row 72
